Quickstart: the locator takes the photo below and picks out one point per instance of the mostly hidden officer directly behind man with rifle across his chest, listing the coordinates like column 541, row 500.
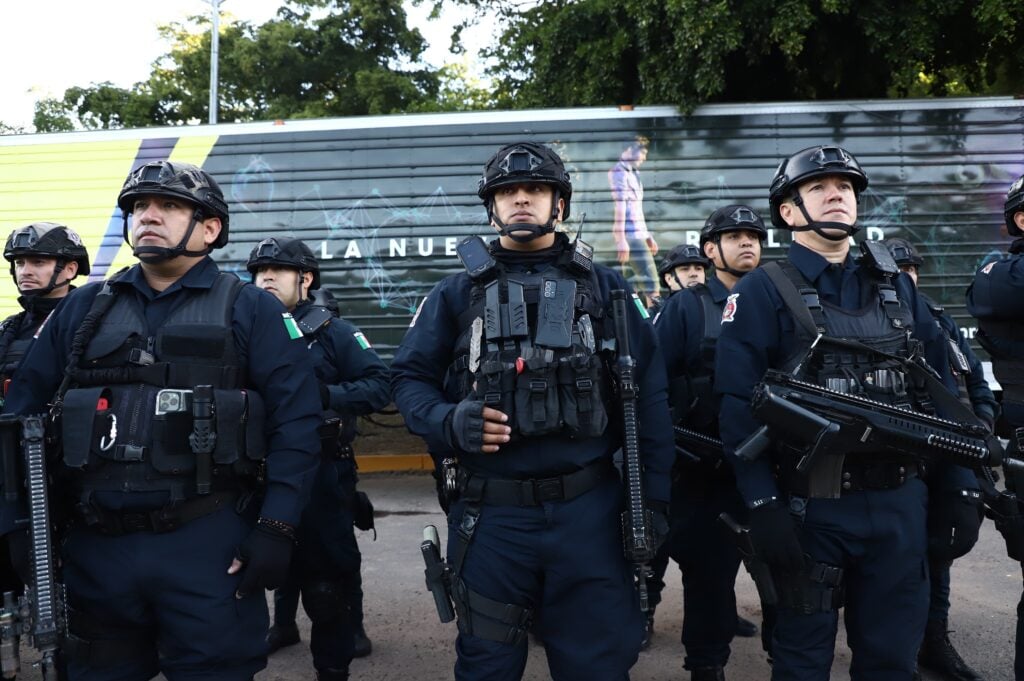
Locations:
column 937, row 654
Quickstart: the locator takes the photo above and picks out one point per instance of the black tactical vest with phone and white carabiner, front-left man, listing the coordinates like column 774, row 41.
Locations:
column 126, row 425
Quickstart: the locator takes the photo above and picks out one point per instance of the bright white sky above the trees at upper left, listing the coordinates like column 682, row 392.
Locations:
column 48, row 47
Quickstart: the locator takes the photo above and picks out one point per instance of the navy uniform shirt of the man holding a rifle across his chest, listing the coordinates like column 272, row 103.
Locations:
column 761, row 334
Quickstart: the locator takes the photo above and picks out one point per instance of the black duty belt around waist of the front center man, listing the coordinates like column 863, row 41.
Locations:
column 534, row 492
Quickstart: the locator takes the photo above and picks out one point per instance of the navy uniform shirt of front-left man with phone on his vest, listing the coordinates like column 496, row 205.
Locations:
column 278, row 368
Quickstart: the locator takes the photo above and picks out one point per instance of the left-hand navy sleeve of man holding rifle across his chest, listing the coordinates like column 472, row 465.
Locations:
column 750, row 339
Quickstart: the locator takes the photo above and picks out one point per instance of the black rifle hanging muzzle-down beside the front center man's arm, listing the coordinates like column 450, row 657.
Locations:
column 638, row 541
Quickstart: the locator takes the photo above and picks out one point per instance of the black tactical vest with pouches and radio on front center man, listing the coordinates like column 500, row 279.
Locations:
column 531, row 349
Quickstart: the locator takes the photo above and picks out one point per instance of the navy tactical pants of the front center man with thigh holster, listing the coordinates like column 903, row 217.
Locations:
column 564, row 560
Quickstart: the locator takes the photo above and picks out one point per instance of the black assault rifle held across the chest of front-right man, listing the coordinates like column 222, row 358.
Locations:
column 832, row 424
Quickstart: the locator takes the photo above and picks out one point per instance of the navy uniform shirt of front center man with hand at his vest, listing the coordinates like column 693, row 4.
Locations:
column 428, row 351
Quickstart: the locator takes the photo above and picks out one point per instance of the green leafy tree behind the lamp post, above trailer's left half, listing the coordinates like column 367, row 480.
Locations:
column 317, row 59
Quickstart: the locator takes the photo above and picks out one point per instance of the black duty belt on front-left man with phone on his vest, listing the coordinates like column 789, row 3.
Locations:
column 165, row 520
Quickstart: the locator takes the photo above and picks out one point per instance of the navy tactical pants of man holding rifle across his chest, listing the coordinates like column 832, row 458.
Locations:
column 879, row 538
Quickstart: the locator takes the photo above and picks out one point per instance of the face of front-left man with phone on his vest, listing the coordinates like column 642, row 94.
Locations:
column 162, row 222
